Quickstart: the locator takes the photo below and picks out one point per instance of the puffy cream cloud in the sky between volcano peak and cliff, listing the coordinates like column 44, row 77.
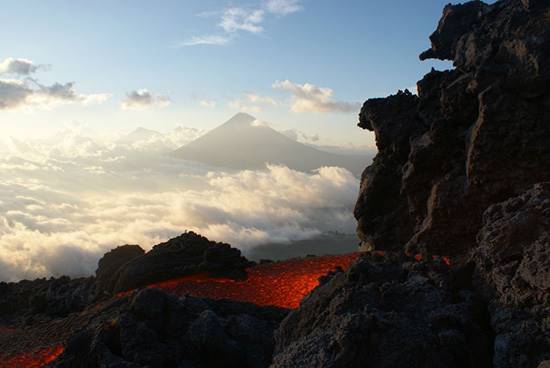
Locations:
column 310, row 98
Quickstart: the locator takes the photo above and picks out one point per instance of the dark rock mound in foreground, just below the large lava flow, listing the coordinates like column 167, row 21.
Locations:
column 153, row 329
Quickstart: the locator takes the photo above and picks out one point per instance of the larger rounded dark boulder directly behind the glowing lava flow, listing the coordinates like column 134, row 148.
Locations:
column 187, row 254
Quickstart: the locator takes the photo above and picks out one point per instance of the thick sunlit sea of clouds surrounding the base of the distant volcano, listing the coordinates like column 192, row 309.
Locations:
column 67, row 200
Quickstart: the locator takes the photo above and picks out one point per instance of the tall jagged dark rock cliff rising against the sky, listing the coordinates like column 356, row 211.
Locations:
column 475, row 135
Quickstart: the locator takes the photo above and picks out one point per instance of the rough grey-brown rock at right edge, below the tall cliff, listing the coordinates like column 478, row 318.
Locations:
column 513, row 273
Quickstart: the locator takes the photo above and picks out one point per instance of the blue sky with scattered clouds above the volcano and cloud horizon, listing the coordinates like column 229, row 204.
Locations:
column 111, row 66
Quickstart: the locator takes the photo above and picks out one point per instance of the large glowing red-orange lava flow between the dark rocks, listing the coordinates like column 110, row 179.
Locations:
column 281, row 284
